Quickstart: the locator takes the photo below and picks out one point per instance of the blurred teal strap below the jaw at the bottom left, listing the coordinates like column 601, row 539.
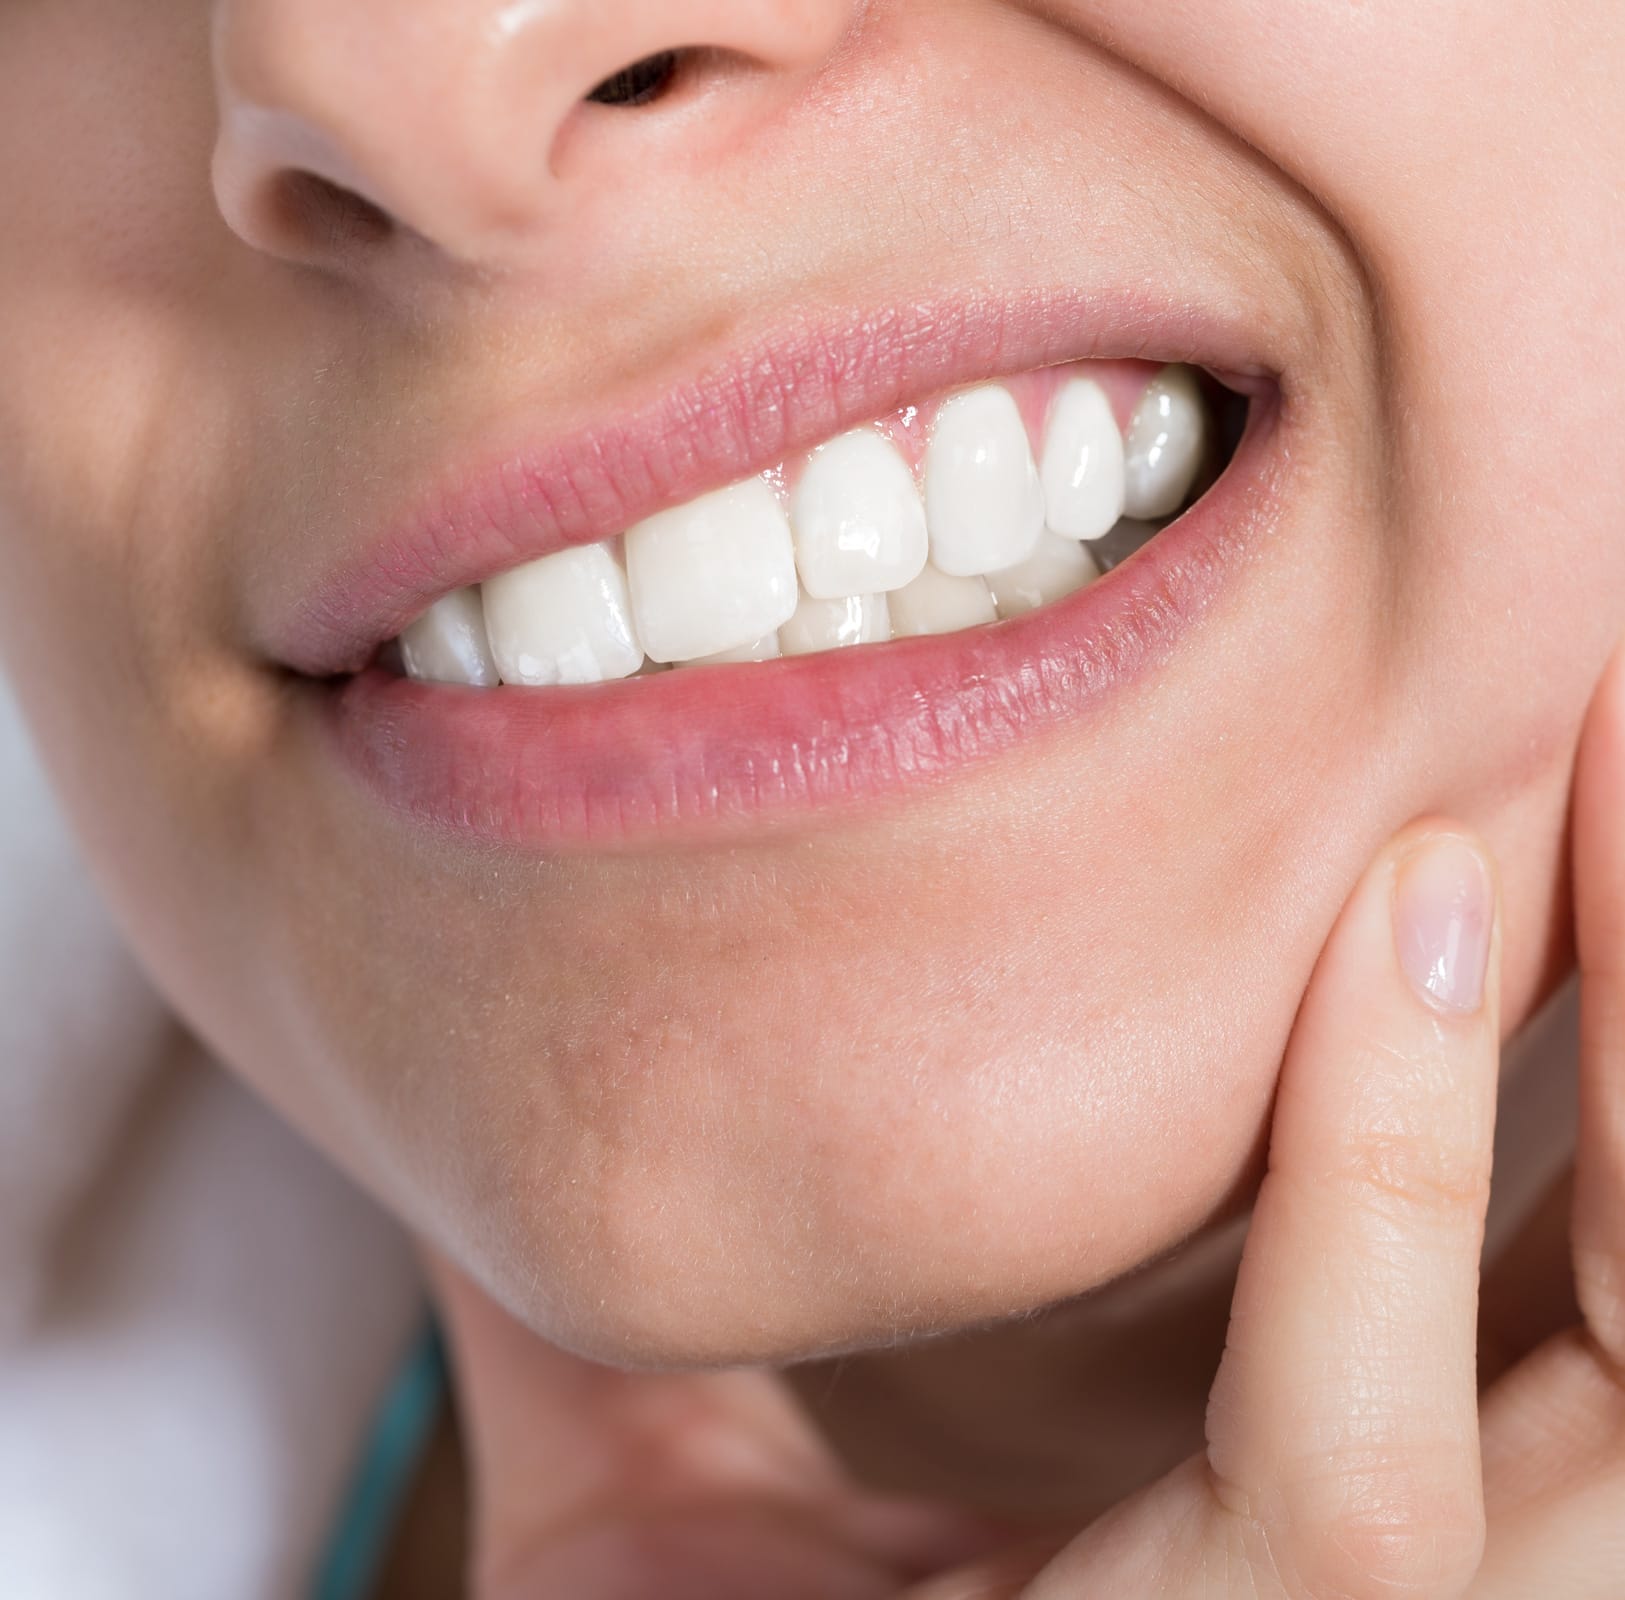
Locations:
column 353, row 1562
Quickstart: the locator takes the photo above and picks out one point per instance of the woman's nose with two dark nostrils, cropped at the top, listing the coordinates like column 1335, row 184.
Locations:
column 345, row 121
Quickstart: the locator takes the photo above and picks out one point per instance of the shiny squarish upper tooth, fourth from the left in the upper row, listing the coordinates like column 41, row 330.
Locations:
column 859, row 519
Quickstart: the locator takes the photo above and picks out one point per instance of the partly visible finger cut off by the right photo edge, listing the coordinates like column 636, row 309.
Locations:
column 1600, row 915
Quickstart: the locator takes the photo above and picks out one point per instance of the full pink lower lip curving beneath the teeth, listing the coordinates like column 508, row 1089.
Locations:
column 711, row 753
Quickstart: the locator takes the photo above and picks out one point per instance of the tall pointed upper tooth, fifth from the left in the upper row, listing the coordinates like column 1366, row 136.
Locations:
column 982, row 493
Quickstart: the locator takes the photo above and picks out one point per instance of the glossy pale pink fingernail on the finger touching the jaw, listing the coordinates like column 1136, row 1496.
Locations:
column 1444, row 917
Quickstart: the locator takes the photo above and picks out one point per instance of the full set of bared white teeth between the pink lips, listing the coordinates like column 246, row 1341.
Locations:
column 981, row 506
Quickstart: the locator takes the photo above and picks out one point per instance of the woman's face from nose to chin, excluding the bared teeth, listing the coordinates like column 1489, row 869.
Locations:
column 797, row 1005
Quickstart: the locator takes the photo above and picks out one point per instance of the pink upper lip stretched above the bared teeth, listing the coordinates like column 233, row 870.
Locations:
column 735, row 415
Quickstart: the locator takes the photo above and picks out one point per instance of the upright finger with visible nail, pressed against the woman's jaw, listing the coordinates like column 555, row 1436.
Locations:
column 1343, row 1425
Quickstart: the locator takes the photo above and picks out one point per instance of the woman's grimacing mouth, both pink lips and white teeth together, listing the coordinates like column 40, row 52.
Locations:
column 856, row 618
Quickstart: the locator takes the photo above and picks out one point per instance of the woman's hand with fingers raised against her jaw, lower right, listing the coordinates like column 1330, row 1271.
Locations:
column 1345, row 1453
